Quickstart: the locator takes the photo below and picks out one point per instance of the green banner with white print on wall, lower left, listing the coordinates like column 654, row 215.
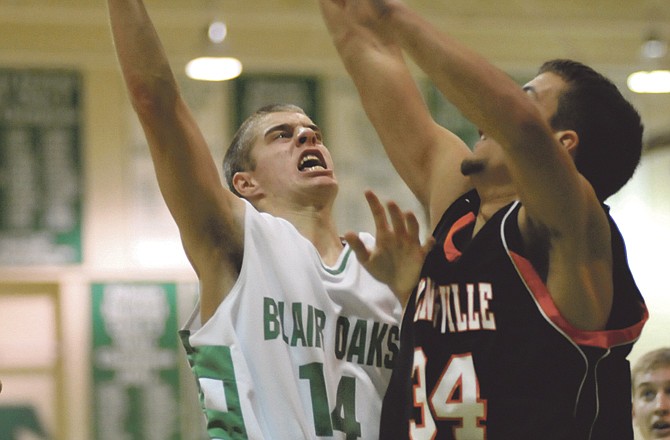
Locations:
column 135, row 356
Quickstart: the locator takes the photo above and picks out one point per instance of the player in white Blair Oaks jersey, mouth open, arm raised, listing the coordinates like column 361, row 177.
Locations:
column 292, row 339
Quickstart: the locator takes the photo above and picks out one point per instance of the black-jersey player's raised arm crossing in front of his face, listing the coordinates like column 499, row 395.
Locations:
column 561, row 212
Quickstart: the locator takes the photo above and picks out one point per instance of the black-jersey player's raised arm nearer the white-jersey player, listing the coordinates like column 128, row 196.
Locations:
column 426, row 155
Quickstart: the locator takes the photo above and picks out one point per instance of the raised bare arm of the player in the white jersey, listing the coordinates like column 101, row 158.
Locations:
column 209, row 217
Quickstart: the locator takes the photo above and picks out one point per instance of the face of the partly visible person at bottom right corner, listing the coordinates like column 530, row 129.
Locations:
column 651, row 403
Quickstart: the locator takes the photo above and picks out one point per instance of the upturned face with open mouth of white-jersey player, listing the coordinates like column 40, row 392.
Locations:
column 290, row 155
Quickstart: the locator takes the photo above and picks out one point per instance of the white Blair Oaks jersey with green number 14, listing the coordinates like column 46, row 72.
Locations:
column 297, row 350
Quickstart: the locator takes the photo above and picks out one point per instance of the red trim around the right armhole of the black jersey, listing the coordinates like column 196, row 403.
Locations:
column 602, row 339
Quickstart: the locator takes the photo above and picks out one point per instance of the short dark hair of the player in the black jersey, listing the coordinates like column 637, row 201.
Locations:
column 609, row 128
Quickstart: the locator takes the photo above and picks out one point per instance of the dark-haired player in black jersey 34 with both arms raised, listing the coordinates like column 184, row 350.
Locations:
column 525, row 310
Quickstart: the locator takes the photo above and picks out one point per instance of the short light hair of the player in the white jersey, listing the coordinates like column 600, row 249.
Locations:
column 238, row 156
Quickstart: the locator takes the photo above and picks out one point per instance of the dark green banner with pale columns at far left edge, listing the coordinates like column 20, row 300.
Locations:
column 40, row 167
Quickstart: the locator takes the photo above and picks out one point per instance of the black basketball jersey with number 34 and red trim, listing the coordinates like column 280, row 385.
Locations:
column 485, row 354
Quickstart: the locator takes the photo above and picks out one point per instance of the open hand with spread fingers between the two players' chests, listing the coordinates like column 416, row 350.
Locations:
column 398, row 255
